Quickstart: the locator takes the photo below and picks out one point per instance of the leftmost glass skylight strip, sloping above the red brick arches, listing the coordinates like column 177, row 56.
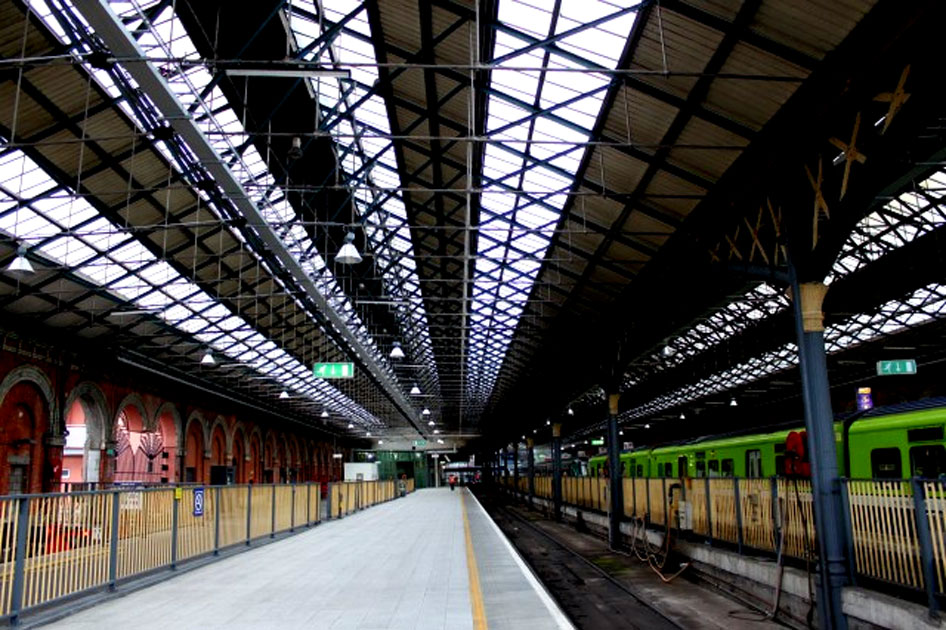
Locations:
column 64, row 229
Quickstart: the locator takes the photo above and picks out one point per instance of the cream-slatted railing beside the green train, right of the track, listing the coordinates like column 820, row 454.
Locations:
column 889, row 544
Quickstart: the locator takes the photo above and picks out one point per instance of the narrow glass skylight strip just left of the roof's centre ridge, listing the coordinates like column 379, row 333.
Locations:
column 357, row 120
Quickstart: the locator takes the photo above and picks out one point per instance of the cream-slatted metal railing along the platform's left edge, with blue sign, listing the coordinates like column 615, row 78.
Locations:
column 54, row 546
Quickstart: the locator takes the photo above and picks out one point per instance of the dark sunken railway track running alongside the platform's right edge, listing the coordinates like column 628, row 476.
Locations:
column 588, row 594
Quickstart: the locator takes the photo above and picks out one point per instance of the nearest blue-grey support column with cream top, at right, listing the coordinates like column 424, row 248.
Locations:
column 819, row 422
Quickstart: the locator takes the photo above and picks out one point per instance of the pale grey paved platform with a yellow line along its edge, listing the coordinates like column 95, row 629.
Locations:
column 430, row 561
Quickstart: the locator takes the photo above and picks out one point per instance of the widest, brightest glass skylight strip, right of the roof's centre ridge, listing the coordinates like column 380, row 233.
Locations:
column 539, row 154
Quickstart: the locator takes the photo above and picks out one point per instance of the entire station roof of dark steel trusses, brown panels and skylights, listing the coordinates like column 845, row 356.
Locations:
column 551, row 200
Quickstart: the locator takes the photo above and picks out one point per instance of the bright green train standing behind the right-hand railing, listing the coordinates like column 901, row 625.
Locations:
column 893, row 442
